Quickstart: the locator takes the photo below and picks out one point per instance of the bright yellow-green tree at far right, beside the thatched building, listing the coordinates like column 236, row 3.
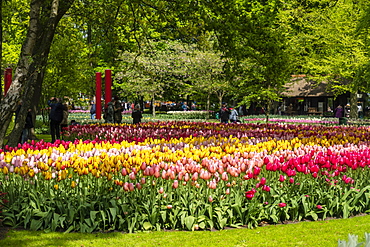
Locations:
column 333, row 50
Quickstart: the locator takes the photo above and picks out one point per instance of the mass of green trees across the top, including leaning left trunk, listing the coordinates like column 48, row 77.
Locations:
column 172, row 50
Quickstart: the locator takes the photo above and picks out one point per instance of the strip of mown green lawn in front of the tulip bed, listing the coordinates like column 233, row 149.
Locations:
column 320, row 233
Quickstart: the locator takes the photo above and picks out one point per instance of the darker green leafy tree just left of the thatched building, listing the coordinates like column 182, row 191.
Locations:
column 253, row 37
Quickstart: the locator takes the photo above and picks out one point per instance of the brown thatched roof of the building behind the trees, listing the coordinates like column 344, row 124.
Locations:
column 299, row 86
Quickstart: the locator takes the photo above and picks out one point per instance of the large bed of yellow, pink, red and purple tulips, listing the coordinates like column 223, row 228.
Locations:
column 185, row 176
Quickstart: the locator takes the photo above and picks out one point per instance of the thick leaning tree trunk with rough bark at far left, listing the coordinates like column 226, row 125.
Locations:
column 29, row 74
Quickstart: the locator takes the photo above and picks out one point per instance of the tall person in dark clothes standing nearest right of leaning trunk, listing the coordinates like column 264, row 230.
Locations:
column 56, row 117
